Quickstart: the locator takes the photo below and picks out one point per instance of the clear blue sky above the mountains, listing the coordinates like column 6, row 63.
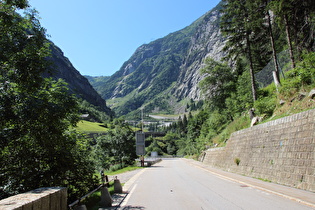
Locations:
column 98, row 36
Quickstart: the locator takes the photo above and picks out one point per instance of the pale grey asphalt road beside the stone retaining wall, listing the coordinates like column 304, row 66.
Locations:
column 174, row 184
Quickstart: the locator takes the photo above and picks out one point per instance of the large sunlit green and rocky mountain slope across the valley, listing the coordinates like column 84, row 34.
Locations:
column 166, row 71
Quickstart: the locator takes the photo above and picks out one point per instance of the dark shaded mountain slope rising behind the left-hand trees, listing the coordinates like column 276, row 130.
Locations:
column 78, row 84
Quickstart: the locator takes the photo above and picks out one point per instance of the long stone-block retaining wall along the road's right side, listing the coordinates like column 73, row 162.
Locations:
column 281, row 151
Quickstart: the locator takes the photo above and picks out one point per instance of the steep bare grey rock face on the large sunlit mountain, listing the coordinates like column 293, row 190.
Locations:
column 206, row 42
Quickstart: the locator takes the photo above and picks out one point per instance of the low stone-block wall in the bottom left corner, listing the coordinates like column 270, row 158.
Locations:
column 53, row 198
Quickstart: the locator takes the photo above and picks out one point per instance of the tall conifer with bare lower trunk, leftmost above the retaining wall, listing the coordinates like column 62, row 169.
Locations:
column 242, row 23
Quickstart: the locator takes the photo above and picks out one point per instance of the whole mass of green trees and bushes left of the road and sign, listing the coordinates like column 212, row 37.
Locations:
column 39, row 146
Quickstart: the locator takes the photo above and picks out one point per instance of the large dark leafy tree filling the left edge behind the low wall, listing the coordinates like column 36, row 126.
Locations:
column 37, row 148
